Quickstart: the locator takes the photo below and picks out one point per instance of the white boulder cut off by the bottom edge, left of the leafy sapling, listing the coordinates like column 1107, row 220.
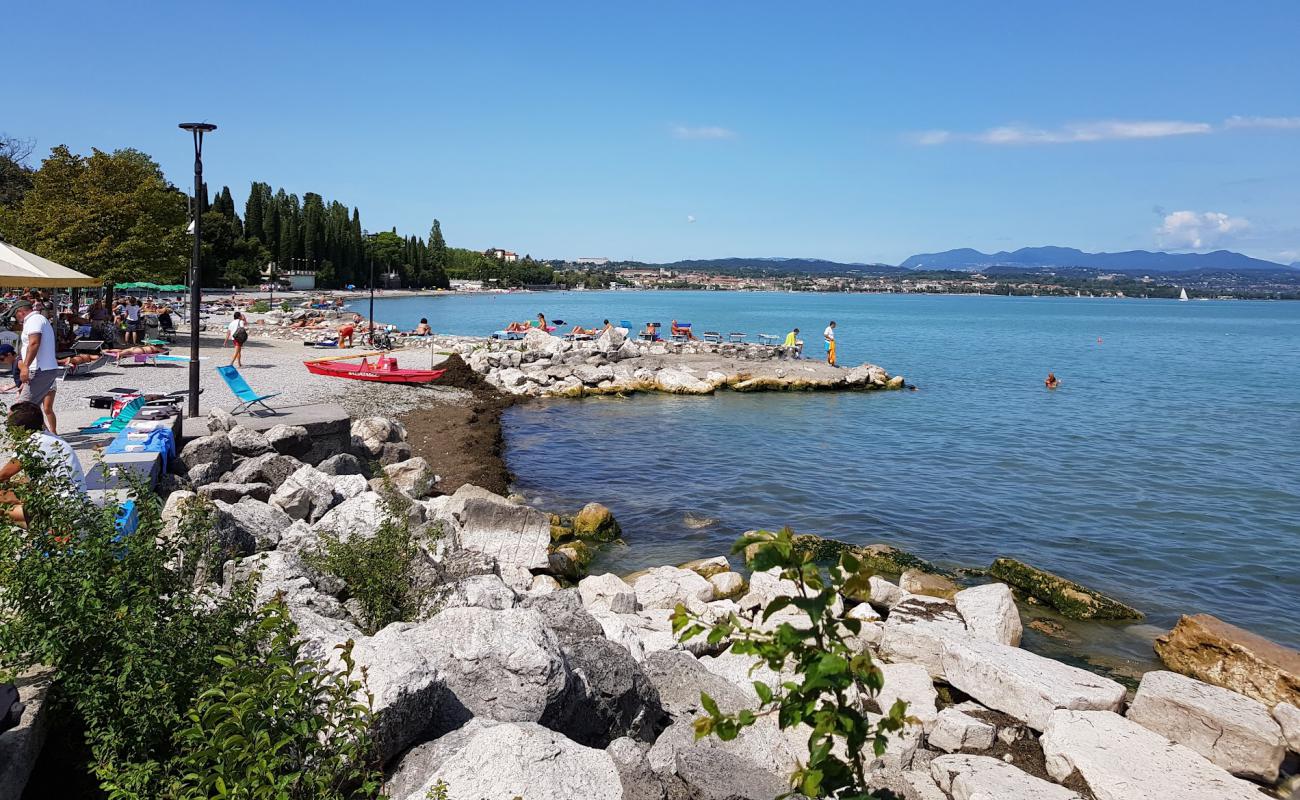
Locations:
column 508, row 760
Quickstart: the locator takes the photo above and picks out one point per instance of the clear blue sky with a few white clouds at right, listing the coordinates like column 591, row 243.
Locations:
column 861, row 132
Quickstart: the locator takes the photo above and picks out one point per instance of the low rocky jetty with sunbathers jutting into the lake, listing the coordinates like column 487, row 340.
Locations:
column 543, row 365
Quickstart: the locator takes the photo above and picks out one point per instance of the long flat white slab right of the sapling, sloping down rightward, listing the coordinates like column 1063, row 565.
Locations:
column 1024, row 685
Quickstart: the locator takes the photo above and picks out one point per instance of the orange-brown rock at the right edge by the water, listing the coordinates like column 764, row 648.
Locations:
column 1210, row 650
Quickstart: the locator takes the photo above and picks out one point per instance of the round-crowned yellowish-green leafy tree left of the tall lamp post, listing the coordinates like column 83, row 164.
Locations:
column 111, row 215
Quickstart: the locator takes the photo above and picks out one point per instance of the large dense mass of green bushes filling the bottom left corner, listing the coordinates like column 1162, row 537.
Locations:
column 135, row 633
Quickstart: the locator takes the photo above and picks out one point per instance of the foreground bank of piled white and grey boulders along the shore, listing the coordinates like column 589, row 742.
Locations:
column 505, row 684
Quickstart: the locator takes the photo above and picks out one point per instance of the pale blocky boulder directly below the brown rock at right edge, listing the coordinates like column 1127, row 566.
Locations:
column 1232, row 730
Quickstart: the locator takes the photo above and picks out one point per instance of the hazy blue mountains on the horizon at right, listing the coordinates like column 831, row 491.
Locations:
column 1143, row 261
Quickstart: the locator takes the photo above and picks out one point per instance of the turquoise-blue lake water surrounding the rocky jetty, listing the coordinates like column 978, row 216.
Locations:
column 1164, row 472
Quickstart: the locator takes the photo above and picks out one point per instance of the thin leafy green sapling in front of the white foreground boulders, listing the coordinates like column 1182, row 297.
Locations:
column 830, row 676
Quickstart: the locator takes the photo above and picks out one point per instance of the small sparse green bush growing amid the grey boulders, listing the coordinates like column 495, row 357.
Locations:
column 380, row 572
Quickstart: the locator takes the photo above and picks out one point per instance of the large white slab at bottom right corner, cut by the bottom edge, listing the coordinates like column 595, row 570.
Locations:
column 1121, row 760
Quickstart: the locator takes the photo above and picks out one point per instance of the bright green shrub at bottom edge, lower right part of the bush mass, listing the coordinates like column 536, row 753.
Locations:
column 279, row 725
